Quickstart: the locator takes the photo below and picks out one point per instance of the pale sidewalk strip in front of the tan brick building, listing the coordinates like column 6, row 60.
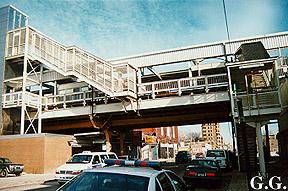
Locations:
column 25, row 179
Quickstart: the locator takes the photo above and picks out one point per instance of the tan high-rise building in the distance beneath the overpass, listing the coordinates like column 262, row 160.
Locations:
column 211, row 134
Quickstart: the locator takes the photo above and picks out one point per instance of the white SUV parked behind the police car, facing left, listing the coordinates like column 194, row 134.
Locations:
column 80, row 162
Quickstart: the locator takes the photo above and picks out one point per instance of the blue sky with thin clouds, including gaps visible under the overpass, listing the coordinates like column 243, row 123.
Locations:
column 117, row 28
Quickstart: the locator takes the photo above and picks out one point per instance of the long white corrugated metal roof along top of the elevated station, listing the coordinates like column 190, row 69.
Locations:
column 271, row 41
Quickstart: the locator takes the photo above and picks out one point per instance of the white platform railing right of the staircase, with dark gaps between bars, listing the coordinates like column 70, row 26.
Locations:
column 183, row 84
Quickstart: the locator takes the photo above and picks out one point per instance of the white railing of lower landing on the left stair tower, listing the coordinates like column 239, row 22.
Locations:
column 15, row 99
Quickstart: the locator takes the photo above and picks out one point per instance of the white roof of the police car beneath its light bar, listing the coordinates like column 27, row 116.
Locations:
column 136, row 171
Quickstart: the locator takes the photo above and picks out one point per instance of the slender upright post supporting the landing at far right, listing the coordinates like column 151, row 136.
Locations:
column 260, row 150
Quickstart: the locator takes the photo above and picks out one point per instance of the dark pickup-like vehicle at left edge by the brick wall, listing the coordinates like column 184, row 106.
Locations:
column 7, row 167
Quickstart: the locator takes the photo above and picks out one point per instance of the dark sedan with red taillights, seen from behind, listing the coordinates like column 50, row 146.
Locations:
column 202, row 170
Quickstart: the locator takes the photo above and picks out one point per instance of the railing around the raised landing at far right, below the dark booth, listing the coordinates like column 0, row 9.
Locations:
column 259, row 100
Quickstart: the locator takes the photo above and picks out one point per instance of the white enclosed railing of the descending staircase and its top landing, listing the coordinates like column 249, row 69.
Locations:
column 104, row 76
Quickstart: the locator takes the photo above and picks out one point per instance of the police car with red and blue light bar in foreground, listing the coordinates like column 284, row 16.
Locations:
column 137, row 176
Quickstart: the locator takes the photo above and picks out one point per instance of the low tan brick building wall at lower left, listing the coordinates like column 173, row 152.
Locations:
column 39, row 153
